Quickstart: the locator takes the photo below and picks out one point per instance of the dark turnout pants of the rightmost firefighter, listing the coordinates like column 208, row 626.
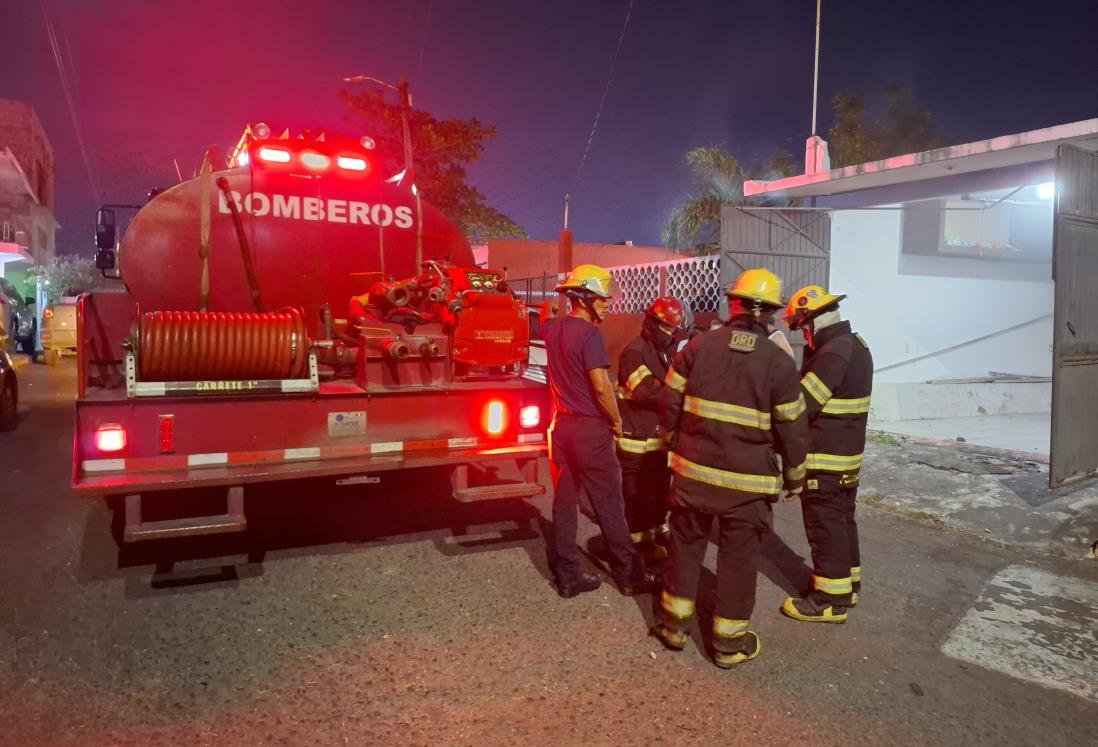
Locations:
column 828, row 509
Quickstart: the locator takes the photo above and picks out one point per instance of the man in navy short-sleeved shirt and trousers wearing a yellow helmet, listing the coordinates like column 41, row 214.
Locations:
column 581, row 451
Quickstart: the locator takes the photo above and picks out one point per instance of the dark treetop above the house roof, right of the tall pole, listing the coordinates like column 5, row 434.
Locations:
column 903, row 126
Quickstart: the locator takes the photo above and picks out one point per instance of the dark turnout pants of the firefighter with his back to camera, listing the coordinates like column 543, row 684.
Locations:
column 742, row 531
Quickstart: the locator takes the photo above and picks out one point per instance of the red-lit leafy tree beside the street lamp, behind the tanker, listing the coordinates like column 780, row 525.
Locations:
column 442, row 150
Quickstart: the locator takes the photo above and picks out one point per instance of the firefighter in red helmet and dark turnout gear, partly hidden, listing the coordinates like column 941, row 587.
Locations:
column 642, row 450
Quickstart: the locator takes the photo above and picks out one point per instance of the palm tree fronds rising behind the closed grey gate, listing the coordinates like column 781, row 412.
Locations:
column 718, row 179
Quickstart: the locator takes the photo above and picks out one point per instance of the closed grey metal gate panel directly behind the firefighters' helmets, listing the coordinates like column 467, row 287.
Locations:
column 793, row 244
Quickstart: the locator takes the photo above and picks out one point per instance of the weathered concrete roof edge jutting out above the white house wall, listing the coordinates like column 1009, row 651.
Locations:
column 1027, row 148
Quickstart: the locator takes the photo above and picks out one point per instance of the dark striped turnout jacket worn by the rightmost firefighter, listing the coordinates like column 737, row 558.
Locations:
column 838, row 382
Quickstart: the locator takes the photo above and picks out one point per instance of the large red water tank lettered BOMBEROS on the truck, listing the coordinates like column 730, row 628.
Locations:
column 309, row 229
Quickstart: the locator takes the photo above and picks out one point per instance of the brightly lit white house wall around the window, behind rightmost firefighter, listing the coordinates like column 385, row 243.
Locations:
column 904, row 317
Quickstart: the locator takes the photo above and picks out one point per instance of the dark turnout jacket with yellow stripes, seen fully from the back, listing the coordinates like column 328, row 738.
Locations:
column 735, row 399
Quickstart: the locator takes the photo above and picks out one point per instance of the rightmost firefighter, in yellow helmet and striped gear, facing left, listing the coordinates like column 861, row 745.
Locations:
column 837, row 378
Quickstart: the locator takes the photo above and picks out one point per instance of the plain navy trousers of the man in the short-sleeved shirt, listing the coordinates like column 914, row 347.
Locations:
column 582, row 459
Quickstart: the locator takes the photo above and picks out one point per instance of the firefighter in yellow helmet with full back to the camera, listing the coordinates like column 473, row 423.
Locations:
column 734, row 399
